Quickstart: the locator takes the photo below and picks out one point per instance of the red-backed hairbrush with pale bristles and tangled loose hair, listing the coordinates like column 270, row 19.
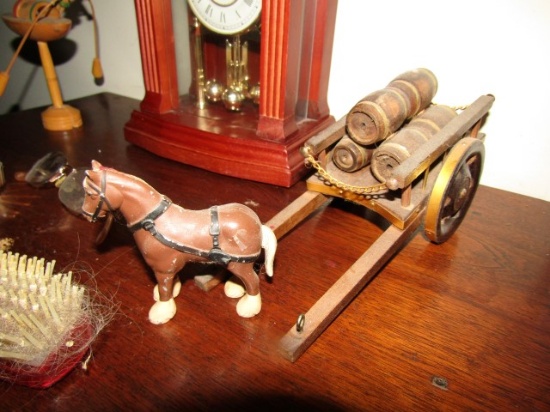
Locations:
column 46, row 325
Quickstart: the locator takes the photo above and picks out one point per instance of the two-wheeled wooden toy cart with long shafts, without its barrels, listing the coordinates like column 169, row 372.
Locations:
column 433, row 187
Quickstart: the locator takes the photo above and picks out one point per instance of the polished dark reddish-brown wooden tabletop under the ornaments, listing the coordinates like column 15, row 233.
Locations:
column 474, row 311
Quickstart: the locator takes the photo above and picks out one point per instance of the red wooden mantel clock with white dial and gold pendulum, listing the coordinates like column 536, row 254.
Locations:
column 234, row 86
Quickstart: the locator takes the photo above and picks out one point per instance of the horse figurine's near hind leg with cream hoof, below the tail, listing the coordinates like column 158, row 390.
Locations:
column 251, row 303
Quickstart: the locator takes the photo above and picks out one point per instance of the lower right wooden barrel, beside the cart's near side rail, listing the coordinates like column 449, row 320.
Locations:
column 401, row 145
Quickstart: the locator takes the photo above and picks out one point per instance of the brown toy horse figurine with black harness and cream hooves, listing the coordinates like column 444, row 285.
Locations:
column 168, row 236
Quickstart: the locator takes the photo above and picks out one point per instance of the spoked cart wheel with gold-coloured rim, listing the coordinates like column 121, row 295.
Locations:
column 454, row 189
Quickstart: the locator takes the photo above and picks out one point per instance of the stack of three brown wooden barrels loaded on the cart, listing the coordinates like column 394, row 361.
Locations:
column 375, row 132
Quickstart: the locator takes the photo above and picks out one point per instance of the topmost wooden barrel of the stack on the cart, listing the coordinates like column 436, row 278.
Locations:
column 381, row 113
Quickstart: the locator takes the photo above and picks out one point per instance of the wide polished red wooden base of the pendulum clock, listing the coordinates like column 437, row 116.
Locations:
column 224, row 146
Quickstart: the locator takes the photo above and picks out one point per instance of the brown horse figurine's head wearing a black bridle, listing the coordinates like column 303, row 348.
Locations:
column 100, row 198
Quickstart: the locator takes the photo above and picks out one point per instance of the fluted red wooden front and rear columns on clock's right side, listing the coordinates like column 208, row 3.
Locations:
column 296, row 49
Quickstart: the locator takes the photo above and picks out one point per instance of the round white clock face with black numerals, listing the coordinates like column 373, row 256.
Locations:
column 226, row 16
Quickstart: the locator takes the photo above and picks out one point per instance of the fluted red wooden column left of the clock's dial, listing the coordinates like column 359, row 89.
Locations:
column 156, row 39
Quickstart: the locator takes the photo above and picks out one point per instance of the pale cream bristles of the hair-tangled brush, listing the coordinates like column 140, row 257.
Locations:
column 38, row 308
